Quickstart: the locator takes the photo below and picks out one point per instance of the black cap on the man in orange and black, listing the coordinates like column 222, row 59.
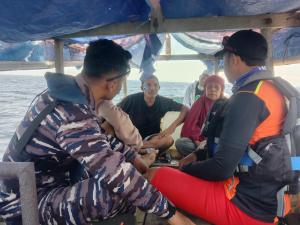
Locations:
column 245, row 43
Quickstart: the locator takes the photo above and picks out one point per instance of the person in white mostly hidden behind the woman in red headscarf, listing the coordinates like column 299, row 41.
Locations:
column 195, row 90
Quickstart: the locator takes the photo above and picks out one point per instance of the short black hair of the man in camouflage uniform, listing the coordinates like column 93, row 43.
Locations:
column 104, row 56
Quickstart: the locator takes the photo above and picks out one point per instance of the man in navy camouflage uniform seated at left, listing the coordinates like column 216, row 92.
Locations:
column 69, row 138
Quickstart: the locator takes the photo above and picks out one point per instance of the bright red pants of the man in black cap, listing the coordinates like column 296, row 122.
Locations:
column 204, row 199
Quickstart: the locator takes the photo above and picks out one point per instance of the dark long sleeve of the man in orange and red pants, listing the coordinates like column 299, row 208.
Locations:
column 245, row 112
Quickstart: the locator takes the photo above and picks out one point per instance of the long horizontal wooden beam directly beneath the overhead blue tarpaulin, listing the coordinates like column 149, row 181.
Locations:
column 213, row 23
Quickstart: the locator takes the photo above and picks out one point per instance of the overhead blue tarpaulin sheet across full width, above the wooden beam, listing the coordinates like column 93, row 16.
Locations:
column 42, row 19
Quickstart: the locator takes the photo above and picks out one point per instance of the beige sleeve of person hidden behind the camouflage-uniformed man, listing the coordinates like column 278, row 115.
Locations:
column 120, row 121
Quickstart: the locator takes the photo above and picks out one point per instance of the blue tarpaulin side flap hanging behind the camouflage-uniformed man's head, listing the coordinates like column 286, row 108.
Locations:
column 144, row 50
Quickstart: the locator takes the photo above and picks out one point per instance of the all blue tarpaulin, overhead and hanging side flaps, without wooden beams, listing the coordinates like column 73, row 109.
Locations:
column 24, row 21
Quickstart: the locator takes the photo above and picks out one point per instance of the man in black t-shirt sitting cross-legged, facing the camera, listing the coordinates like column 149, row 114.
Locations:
column 146, row 110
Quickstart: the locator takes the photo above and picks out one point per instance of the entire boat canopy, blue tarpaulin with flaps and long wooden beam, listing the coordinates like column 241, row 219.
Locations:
column 27, row 28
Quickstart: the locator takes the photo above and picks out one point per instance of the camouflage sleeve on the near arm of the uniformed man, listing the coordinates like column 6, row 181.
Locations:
column 105, row 160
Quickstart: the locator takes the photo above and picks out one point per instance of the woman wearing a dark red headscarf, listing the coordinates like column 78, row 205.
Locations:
column 191, row 138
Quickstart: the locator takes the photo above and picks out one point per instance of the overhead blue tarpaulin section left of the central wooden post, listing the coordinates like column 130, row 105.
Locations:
column 42, row 19
